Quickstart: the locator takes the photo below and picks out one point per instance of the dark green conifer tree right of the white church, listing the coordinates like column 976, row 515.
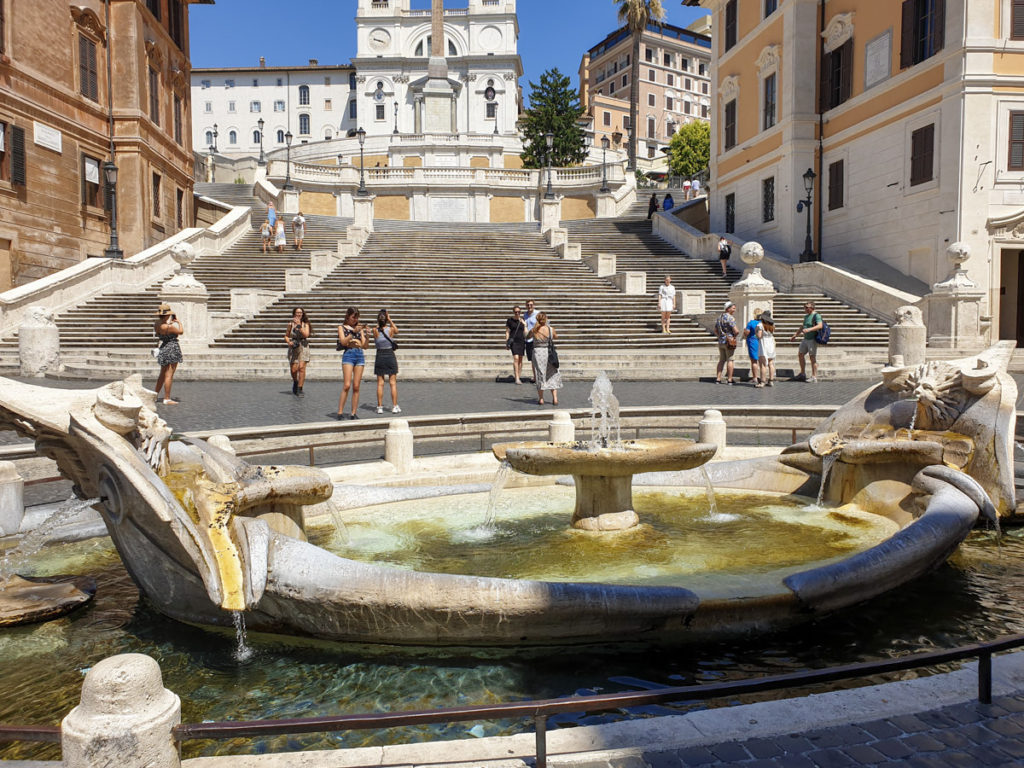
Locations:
column 553, row 107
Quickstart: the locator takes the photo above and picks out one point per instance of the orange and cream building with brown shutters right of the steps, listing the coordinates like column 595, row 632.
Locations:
column 912, row 116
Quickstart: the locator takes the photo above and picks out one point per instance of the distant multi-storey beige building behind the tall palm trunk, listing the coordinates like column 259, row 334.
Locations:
column 675, row 87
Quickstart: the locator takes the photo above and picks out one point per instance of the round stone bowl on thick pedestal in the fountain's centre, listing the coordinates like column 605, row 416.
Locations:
column 604, row 477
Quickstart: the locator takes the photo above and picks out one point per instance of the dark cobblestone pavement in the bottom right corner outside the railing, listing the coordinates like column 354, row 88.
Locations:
column 963, row 736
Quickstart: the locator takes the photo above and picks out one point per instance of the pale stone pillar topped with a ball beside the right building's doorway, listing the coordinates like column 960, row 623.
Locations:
column 954, row 309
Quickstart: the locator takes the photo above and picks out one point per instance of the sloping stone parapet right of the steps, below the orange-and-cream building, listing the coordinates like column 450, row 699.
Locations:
column 866, row 294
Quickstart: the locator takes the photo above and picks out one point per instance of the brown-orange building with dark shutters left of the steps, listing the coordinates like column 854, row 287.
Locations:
column 60, row 117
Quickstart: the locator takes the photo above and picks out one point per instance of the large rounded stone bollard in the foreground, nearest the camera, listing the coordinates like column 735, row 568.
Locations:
column 124, row 719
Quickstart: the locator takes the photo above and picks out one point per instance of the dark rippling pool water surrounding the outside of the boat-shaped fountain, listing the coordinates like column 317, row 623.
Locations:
column 42, row 666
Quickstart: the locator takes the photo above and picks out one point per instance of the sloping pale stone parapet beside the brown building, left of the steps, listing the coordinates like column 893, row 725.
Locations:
column 88, row 279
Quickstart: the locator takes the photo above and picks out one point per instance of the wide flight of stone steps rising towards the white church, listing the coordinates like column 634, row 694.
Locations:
column 450, row 288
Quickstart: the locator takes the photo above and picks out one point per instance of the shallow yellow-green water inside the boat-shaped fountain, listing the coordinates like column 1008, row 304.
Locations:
column 677, row 539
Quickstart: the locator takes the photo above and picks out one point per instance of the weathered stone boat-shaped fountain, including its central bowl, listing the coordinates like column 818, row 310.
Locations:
column 207, row 537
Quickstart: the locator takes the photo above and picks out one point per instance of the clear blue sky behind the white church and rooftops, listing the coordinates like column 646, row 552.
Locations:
column 237, row 33
